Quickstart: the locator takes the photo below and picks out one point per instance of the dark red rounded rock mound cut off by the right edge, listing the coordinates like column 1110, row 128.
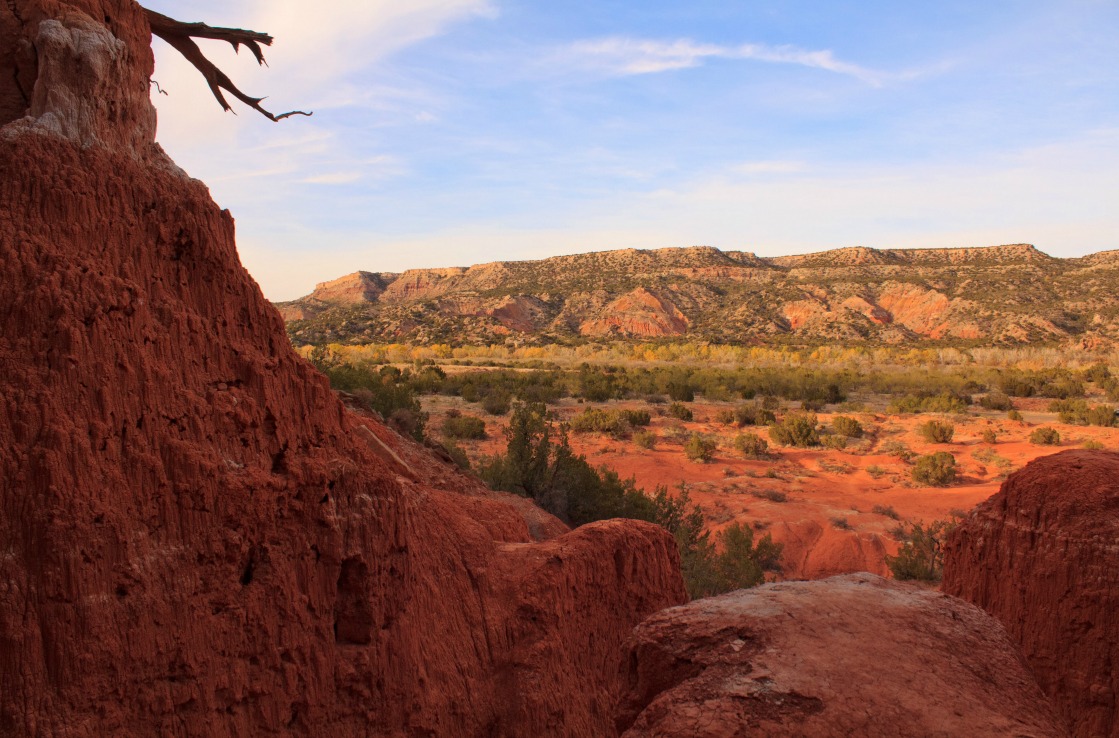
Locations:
column 1043, row 557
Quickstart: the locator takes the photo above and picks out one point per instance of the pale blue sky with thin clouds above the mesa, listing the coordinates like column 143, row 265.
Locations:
column 457, row 133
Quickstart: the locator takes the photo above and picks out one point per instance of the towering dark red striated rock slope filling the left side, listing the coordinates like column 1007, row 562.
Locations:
column 196, row 537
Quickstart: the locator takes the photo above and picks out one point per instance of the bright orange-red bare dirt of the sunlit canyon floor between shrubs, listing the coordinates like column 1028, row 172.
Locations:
column 834, row 510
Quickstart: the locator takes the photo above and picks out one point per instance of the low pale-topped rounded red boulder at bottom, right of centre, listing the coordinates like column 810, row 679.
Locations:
column 852, row 656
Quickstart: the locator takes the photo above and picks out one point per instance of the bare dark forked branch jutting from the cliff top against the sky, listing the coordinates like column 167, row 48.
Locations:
column 182, row 37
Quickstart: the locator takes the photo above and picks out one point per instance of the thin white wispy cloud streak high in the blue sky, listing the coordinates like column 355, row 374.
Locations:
column 634, row 56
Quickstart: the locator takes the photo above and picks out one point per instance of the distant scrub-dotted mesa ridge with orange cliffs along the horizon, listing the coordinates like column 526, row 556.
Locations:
column 1012, row 295
